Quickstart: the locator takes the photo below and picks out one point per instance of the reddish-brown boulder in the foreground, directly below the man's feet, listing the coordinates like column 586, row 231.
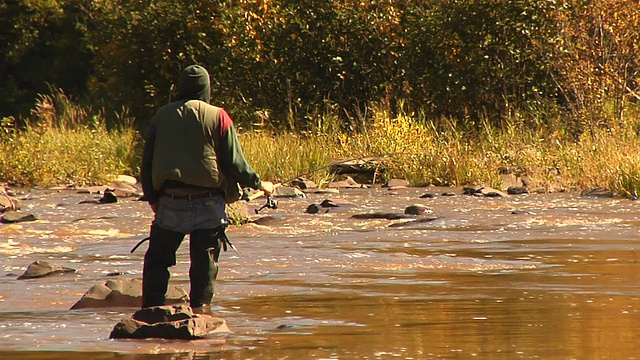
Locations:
column 169, row 322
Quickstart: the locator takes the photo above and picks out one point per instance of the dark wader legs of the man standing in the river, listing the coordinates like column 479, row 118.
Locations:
column 204, row 251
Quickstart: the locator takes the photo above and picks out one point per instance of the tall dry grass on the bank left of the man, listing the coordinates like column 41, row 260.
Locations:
column 65, row 144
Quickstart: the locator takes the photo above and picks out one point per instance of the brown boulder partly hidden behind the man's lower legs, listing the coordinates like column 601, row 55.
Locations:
column 124, row 292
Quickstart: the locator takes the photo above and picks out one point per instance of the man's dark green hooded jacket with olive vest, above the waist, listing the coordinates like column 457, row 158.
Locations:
column 190, row 143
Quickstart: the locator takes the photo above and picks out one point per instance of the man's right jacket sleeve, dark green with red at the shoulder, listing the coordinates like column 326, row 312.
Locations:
column 231, row 159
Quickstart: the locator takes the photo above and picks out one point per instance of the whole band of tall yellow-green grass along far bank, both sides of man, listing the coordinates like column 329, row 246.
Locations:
column 64, row 144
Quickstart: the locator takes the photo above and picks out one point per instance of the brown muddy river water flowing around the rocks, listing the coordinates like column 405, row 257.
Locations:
column 550, row 276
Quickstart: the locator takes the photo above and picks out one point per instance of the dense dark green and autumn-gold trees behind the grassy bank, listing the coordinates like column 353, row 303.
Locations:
column 288, row 61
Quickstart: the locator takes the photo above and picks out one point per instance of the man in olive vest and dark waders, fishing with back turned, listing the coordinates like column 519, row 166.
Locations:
column 191, row 152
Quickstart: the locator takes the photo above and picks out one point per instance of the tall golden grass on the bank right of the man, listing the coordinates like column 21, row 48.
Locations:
column 427, row 152
